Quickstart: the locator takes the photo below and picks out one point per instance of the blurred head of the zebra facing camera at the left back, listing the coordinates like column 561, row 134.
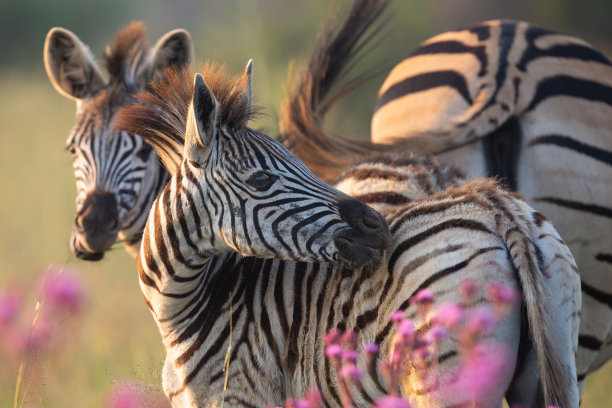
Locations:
column 117, row 175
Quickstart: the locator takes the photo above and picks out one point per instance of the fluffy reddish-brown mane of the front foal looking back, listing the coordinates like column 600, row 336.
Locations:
column 159, row 112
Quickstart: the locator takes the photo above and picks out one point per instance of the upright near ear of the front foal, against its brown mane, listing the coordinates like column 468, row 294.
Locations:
column 201, row 120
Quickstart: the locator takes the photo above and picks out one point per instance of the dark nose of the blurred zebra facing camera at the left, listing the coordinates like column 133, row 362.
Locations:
column 97, row 221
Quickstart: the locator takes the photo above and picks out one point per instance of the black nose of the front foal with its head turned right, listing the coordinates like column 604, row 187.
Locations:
column 370, row 228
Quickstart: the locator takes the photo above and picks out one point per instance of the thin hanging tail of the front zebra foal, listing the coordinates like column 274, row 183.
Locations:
column 517, row 233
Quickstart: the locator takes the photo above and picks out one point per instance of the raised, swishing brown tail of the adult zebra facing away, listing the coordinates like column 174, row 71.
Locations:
column 317, row 87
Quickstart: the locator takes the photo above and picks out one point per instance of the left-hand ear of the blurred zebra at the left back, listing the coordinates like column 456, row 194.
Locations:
column 70, row 66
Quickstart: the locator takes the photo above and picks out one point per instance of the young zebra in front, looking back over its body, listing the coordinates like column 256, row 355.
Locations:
column 235, row 194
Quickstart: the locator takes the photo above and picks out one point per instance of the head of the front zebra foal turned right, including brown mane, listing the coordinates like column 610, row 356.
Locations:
column 234, row 188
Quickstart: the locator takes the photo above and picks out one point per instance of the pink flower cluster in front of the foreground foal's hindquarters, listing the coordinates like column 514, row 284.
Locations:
column 409, row 365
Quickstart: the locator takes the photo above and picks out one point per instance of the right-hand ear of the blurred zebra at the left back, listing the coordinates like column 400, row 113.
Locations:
column 174, row 48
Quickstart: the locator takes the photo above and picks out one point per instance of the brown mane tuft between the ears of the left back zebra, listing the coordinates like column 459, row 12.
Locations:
column 126, row 54
